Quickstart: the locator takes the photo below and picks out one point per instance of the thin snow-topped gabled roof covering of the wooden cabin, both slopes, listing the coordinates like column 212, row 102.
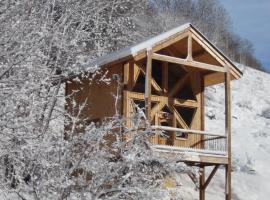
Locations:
column 135, row 50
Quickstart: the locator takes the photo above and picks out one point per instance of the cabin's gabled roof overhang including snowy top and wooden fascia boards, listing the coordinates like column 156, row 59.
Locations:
column 139, row 51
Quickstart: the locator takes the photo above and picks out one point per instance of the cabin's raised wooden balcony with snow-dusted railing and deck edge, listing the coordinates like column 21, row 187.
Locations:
column 205, row 146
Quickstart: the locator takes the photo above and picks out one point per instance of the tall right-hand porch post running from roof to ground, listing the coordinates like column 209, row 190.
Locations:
column 228, row 131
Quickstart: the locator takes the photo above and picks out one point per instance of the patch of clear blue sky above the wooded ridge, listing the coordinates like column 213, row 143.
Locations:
column 251, row 20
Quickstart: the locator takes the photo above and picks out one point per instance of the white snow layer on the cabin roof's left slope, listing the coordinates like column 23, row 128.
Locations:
column 133, row 50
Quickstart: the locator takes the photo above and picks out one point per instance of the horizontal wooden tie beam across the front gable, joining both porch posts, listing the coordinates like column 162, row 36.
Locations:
column 194, row 64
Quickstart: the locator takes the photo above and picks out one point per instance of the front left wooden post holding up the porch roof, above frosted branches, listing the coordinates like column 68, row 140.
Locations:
column 148, row 78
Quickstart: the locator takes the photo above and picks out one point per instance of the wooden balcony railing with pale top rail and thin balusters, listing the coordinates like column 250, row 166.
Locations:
column 204, row 142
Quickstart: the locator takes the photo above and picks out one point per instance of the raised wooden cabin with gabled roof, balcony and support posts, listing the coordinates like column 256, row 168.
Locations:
column 167, row 75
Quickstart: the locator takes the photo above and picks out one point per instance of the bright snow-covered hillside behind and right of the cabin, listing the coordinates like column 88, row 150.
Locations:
column 251, row 136
